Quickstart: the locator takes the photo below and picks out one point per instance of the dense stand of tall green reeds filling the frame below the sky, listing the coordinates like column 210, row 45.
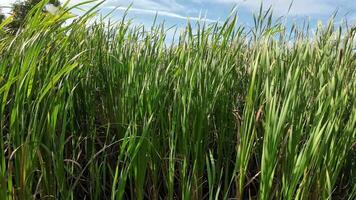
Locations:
column 110, row 110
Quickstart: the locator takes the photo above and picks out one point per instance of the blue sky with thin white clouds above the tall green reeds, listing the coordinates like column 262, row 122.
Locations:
column 176, row 12
